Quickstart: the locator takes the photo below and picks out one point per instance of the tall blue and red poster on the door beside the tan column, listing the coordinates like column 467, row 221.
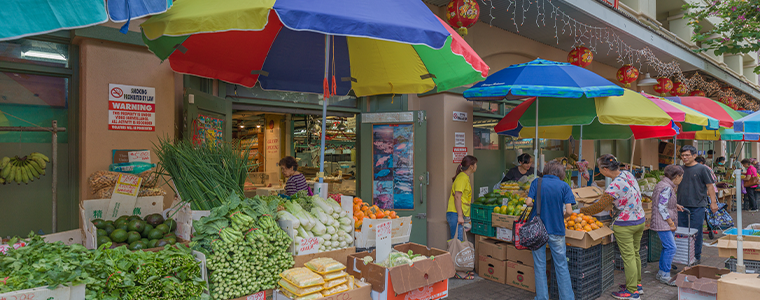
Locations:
column 393, row 166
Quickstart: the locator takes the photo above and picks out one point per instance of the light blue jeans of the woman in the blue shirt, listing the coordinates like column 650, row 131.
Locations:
column 557, row 245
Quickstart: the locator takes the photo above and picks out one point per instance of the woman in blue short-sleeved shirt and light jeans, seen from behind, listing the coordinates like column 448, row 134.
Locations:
column 556, row 203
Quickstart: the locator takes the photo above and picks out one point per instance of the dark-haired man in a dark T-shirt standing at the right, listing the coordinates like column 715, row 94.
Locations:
column 693, row 192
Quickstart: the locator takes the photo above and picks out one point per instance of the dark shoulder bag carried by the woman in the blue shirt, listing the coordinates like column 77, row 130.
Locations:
column 531, row 234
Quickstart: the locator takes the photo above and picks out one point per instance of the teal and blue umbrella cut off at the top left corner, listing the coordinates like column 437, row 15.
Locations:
column 26, row 18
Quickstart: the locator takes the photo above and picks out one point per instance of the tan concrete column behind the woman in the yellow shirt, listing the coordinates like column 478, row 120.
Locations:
column 440, row 142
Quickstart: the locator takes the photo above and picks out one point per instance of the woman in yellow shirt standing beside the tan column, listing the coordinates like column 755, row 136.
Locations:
column 458, row 212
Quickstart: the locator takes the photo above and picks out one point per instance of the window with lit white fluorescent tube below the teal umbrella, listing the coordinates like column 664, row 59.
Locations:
column 35, row 52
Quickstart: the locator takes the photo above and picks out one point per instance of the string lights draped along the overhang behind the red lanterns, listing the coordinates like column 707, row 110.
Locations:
column 592, row 36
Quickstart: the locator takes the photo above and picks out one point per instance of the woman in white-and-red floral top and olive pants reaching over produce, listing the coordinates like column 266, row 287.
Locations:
column 624, row 196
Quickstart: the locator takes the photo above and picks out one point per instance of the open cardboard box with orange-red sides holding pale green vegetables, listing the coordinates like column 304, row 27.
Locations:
column 404, row 278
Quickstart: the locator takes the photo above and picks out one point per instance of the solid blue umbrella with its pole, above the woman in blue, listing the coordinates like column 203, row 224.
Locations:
column 542, row 78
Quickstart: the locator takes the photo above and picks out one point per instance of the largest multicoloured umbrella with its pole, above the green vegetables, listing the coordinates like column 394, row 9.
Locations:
column 325, row 47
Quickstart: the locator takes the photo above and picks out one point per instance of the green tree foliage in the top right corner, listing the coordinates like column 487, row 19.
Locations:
column 738, row 33
